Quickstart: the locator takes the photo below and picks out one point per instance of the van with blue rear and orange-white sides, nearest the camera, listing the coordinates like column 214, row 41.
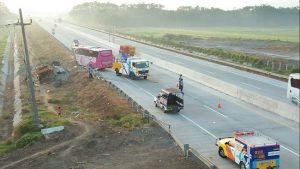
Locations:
column 250, row 150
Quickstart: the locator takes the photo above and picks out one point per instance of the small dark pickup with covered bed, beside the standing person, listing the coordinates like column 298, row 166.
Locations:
column 170, row 100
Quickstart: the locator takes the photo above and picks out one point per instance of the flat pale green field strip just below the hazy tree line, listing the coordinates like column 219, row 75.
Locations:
column 290, row 34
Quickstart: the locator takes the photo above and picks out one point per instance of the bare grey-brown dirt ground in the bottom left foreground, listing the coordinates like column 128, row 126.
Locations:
column 102, row 147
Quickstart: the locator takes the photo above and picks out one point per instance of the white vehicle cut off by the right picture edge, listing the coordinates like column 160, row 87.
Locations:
column 293, row 88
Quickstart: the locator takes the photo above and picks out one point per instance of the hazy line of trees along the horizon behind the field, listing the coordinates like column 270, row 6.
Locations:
column 185, row 16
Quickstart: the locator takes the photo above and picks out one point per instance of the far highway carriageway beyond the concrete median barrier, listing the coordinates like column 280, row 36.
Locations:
column 260, row 84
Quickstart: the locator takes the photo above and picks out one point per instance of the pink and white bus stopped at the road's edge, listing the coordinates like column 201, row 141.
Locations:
column 96, row 57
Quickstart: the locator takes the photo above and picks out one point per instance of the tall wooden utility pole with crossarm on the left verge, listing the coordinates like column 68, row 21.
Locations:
column 35, row 118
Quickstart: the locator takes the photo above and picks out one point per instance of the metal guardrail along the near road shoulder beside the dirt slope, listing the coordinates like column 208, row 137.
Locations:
column 167, row 127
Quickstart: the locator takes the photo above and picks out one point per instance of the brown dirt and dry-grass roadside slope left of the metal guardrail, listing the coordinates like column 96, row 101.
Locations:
column 93, row 140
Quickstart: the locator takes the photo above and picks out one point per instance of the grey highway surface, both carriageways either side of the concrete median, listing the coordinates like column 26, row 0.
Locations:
column 201, row 121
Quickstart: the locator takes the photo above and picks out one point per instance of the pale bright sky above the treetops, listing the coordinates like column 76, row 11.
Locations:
column 56, row 7
